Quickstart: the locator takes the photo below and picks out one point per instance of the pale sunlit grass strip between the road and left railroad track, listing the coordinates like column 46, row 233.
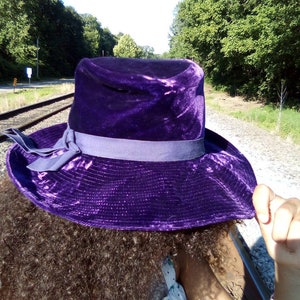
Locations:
column 23, row 97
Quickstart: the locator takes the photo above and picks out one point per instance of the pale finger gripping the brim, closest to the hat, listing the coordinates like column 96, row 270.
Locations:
column 261, row 200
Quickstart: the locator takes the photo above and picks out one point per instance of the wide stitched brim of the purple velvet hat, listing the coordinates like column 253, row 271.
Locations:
column 120, row 194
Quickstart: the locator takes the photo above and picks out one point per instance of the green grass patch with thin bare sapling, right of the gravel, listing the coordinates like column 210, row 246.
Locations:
column 268, row 117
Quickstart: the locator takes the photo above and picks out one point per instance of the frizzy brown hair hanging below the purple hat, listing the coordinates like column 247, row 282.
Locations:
column 45, row 257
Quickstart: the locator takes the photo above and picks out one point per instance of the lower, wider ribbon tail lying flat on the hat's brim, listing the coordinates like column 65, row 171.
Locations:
column 52, row 164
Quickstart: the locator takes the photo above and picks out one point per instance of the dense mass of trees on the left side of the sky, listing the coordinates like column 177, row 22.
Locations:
column 46, row 35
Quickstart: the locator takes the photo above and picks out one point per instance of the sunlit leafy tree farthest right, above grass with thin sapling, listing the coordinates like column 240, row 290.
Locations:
column 268, row 41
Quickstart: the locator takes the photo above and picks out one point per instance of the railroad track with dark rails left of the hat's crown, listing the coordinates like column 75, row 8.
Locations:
column 25, row 117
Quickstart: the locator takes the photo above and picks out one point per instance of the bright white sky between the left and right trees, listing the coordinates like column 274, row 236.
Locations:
column 148, row 22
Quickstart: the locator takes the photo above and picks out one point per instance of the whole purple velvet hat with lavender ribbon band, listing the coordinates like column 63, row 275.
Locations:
column 135, row 153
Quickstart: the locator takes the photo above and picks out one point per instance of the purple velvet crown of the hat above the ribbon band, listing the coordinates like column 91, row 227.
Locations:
column 139, row 99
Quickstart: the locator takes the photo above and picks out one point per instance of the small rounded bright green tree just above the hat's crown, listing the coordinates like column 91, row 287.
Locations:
column 127, row 47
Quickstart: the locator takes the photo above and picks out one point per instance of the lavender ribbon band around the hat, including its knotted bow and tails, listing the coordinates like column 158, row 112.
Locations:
column 74, row 143
